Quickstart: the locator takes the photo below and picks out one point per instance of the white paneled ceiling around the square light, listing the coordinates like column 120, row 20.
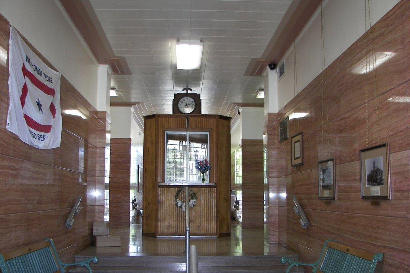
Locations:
column 145, row 33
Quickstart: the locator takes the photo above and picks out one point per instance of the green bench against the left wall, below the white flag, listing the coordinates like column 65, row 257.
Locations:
column 40, row 257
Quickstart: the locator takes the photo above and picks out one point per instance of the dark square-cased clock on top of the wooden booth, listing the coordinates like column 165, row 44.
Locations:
column 186, row 103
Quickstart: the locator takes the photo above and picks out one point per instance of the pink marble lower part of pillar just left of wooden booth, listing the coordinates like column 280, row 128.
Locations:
column 120, row 161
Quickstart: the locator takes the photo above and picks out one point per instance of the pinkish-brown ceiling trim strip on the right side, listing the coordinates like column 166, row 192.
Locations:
column 293, row 22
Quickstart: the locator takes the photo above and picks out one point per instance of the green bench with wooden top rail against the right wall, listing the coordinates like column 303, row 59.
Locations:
column 338, row 258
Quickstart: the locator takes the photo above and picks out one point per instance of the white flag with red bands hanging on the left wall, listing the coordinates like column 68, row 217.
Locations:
column 34, row 89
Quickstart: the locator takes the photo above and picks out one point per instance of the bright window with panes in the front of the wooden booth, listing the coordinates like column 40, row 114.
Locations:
column 181, row 152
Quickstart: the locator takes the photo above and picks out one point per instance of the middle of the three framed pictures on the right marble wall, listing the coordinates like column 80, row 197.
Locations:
column 326, row 174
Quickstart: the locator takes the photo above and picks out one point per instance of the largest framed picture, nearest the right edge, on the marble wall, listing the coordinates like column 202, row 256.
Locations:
column 374, row 172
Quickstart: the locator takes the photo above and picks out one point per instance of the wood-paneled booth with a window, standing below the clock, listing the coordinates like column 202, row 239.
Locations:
column 211, row 215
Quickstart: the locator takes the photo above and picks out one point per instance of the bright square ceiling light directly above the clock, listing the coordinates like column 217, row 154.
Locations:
column 189, row 54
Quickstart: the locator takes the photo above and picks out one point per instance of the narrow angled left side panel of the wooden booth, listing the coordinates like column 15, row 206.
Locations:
column 150, row 202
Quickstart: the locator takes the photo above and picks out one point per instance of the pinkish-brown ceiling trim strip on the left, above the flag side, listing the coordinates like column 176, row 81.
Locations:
column 86, row 21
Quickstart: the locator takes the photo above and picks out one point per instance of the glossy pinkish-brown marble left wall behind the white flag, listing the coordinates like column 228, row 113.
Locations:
column 39, row 187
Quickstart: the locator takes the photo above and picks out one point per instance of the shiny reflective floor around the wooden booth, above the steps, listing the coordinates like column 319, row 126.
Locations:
column 242, row 242
